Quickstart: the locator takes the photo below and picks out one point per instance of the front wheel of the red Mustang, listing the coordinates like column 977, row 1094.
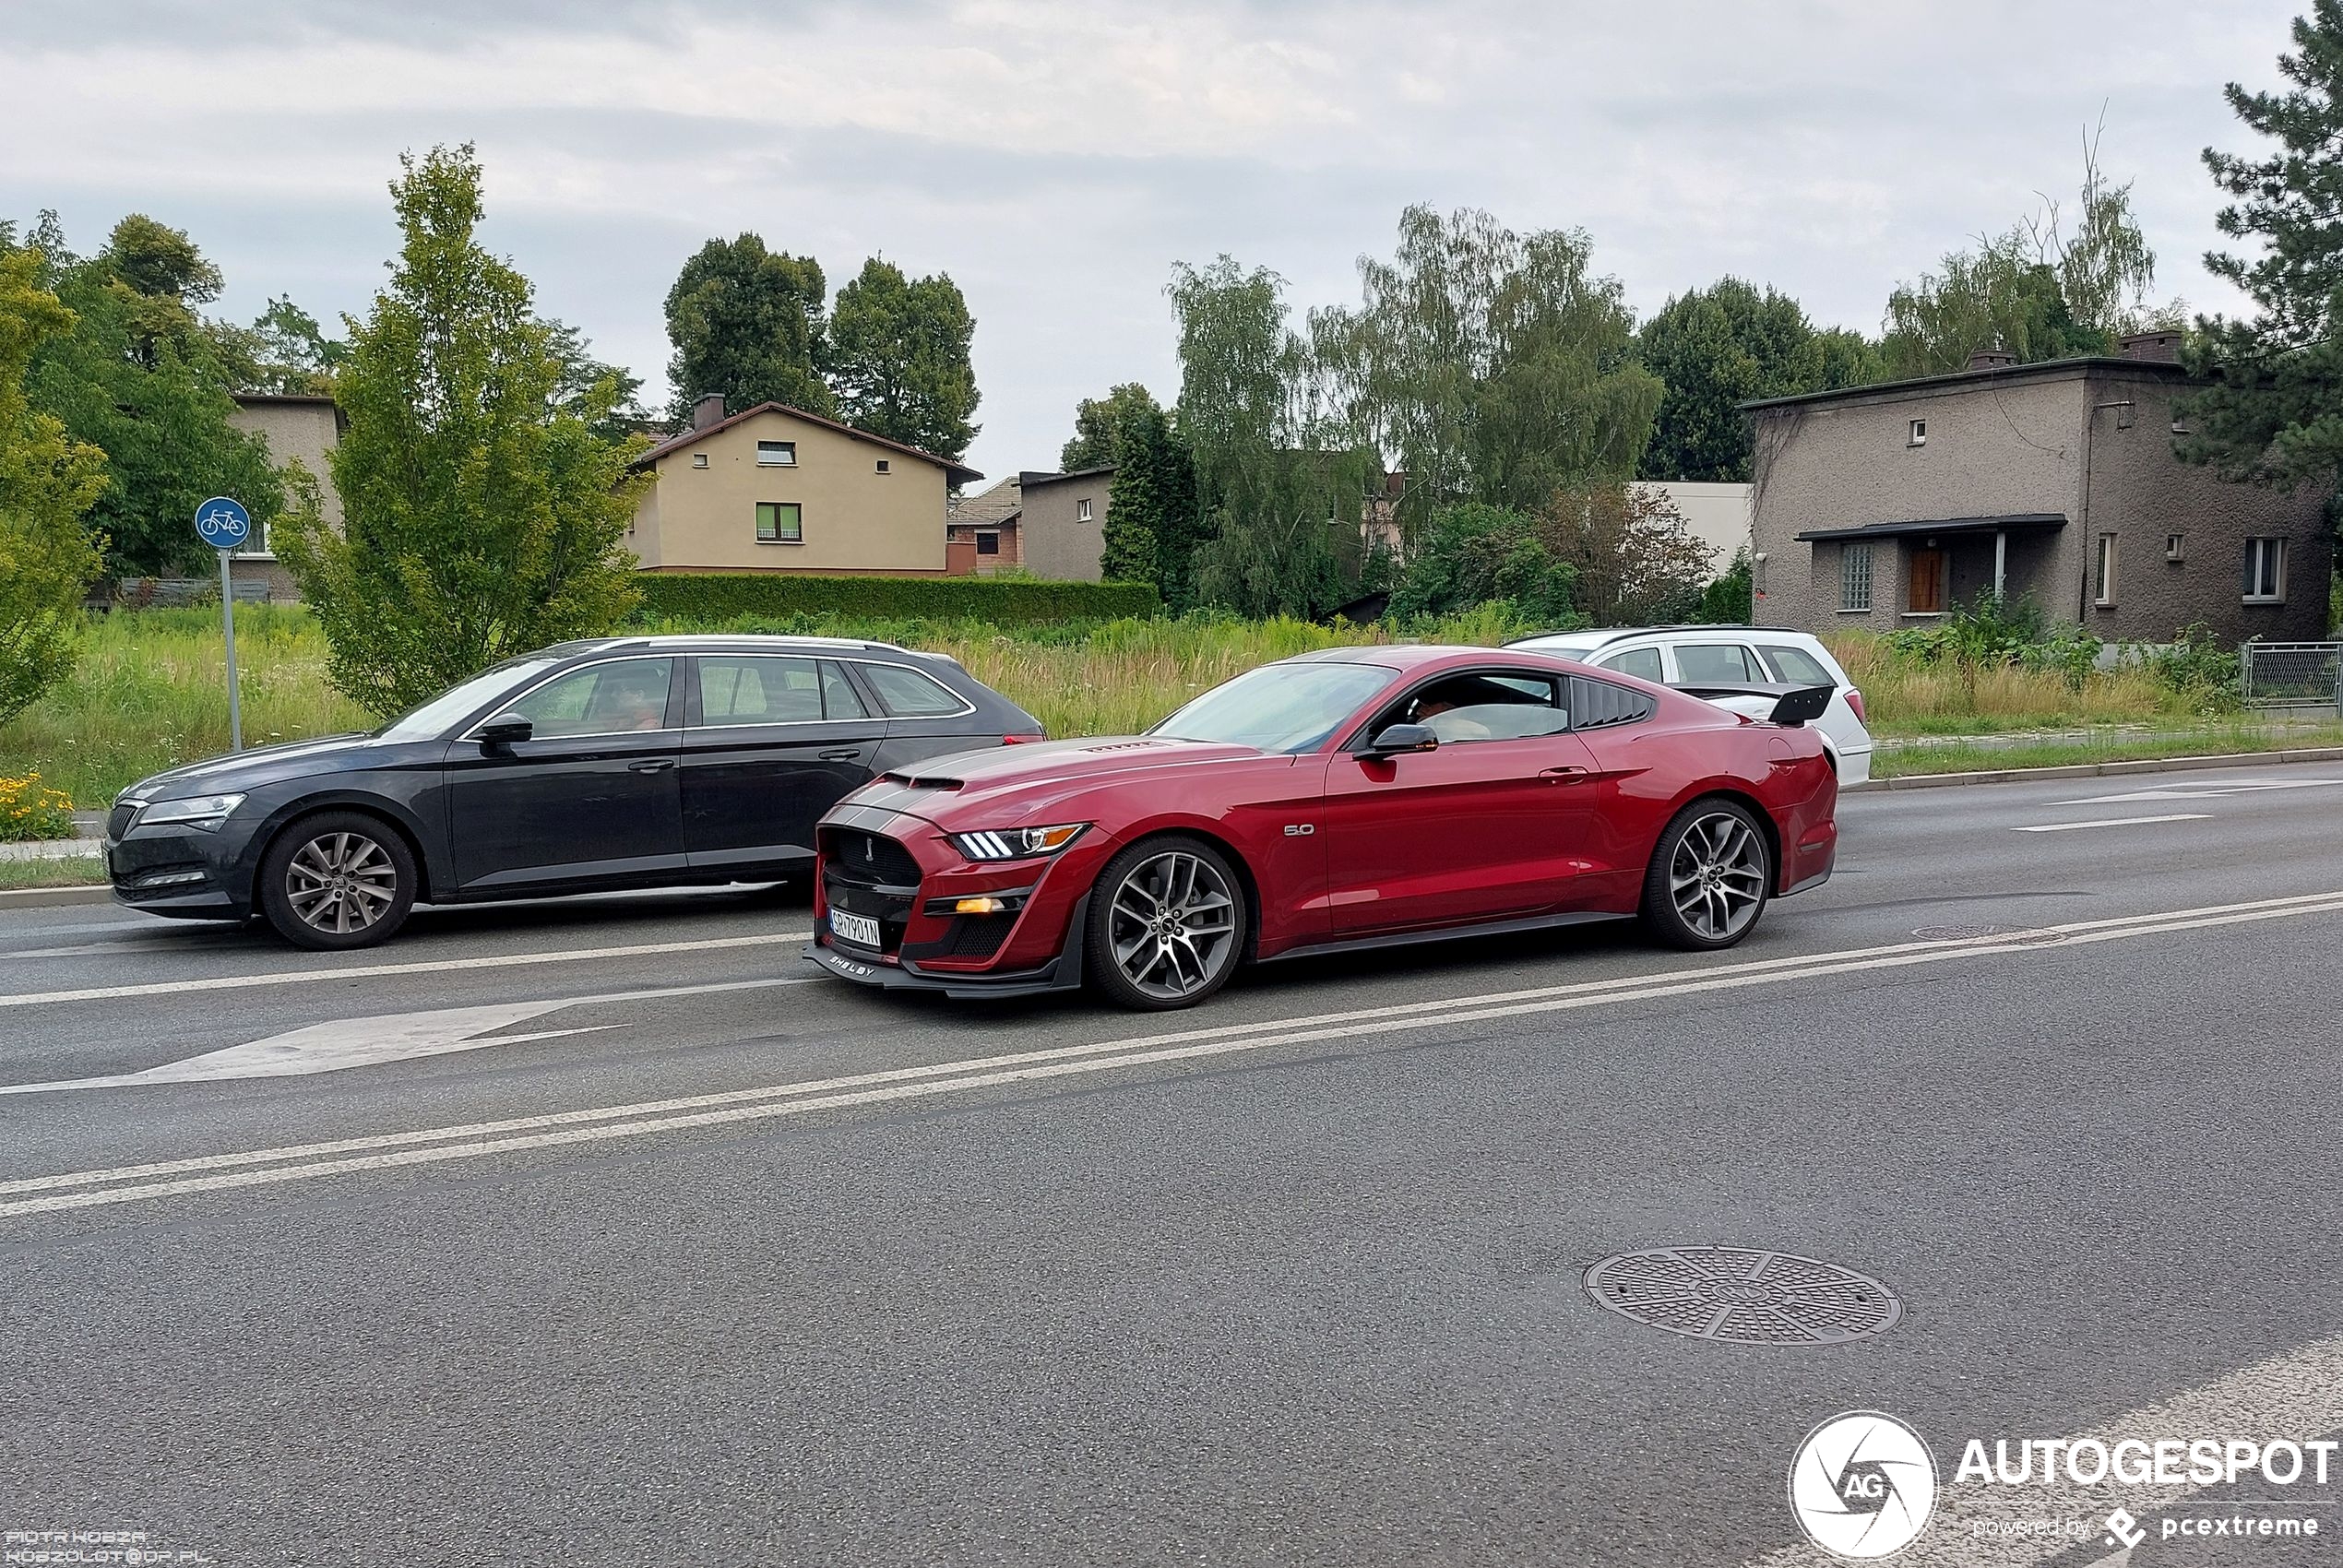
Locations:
column 1166, row 925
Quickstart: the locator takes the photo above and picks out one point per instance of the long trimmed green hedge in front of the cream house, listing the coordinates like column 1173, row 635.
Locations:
column 1004, row 601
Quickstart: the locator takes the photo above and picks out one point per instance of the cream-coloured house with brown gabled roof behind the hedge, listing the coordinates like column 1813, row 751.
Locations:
column 781, row 491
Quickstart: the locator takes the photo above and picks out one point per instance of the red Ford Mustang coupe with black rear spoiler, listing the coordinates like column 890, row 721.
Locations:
column 1346, row 798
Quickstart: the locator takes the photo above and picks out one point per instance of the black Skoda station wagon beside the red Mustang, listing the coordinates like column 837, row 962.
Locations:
column 622, row 763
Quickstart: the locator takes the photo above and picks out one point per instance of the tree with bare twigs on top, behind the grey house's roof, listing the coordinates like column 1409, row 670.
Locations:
column 2033, row 292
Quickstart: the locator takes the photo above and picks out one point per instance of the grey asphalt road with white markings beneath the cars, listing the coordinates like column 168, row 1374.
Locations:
column 610, row 1234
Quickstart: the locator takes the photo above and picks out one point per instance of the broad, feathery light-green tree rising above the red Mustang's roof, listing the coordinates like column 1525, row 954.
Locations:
column 1491, row 364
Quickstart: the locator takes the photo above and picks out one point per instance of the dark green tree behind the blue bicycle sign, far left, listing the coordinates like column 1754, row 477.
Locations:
column 139, row 379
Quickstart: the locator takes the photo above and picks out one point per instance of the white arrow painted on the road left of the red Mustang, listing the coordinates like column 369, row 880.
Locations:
column 371, row 1042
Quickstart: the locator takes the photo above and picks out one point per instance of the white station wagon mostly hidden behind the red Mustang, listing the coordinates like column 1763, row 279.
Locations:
column 1730, row 655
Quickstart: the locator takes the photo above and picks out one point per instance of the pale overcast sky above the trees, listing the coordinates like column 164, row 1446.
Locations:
column 1058, row 156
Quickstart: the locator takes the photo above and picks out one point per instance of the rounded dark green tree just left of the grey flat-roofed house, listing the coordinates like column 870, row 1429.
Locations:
column 1719, row 348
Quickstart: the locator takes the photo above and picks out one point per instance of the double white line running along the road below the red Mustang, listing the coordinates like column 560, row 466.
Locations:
column 526, row 1133
